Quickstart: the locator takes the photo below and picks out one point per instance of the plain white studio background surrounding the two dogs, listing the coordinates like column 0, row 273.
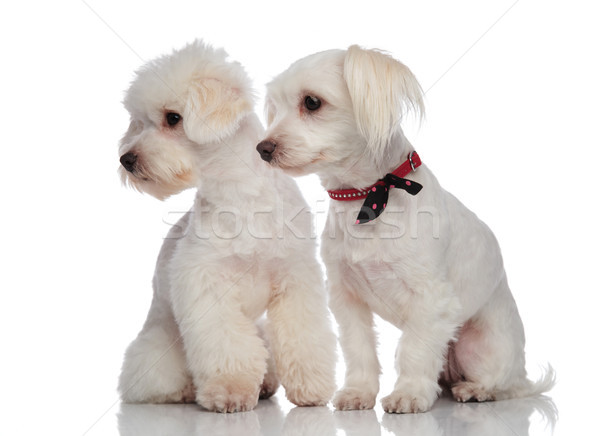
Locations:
column 511, row 129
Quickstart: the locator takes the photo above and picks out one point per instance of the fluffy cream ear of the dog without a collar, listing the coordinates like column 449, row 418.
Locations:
column 214, row 110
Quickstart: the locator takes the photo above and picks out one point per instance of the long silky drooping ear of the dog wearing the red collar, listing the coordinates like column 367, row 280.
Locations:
column 382, row 91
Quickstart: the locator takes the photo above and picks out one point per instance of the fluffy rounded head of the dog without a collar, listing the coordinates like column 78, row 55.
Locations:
column 182, row 106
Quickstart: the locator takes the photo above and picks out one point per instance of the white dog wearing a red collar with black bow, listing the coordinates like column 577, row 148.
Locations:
column 427, row 265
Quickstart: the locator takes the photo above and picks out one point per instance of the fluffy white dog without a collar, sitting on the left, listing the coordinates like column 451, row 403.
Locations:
column 243, row 249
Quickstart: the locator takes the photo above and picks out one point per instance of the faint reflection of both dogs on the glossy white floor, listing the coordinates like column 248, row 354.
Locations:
column 447, row 418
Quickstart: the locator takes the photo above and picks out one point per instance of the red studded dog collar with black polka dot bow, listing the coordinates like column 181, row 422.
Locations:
column 376, row 196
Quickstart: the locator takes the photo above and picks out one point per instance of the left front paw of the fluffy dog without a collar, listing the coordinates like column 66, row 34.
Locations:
column 228, row 394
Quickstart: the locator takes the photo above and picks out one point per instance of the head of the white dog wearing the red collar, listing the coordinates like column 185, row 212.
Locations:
column 332, row 107
